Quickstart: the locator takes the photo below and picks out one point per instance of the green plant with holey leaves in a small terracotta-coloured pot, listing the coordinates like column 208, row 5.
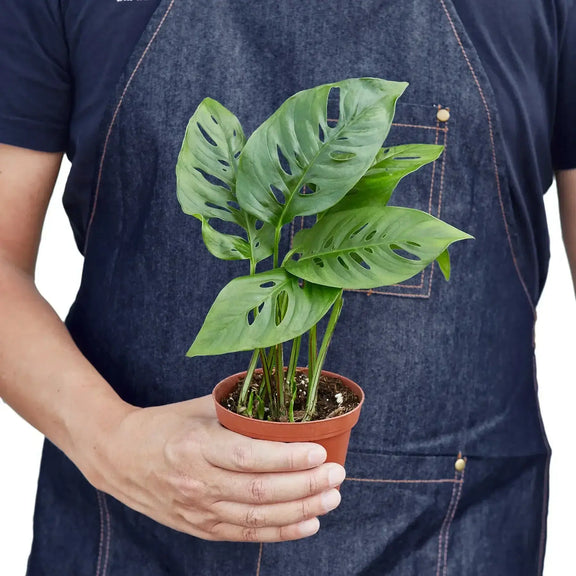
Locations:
column 302, row 162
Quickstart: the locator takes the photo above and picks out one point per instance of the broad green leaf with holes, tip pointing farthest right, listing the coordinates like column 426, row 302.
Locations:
column 369, row 247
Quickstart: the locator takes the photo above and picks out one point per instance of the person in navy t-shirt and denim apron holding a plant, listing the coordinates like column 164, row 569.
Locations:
column 448, row 467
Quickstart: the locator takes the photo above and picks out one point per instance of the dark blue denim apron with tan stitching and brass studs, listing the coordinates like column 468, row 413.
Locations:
column 448, row 368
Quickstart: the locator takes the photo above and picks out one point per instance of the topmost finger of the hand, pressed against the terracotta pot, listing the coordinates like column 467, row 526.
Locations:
column 234, row 452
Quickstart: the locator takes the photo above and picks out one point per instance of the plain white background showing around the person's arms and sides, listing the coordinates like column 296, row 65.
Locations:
column 58, row 276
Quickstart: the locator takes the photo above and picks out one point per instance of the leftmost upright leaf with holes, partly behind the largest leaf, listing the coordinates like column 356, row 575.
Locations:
column 206, row 182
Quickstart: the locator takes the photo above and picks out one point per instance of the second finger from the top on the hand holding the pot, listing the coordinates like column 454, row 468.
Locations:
column 278, row 487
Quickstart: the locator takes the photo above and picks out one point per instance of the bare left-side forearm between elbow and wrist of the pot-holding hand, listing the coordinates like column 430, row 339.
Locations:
column 43, row 375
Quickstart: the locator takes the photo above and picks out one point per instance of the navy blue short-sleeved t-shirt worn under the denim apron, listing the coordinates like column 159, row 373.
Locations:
column 60, row 61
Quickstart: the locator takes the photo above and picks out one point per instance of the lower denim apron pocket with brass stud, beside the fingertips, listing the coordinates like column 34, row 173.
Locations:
column 394, row 519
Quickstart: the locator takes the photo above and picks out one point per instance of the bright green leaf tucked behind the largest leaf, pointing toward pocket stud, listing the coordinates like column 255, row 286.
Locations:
column 388, row 168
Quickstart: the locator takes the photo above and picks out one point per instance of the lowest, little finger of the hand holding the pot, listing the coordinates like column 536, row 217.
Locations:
column 230, row 532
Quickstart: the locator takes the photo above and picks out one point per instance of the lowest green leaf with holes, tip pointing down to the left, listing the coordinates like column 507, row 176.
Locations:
column 232, row 326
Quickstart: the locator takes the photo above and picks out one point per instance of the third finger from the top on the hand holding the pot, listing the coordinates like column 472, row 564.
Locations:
column 283, row 514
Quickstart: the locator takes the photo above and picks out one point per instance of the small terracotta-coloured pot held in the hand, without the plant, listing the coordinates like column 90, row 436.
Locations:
column 333, row 433
